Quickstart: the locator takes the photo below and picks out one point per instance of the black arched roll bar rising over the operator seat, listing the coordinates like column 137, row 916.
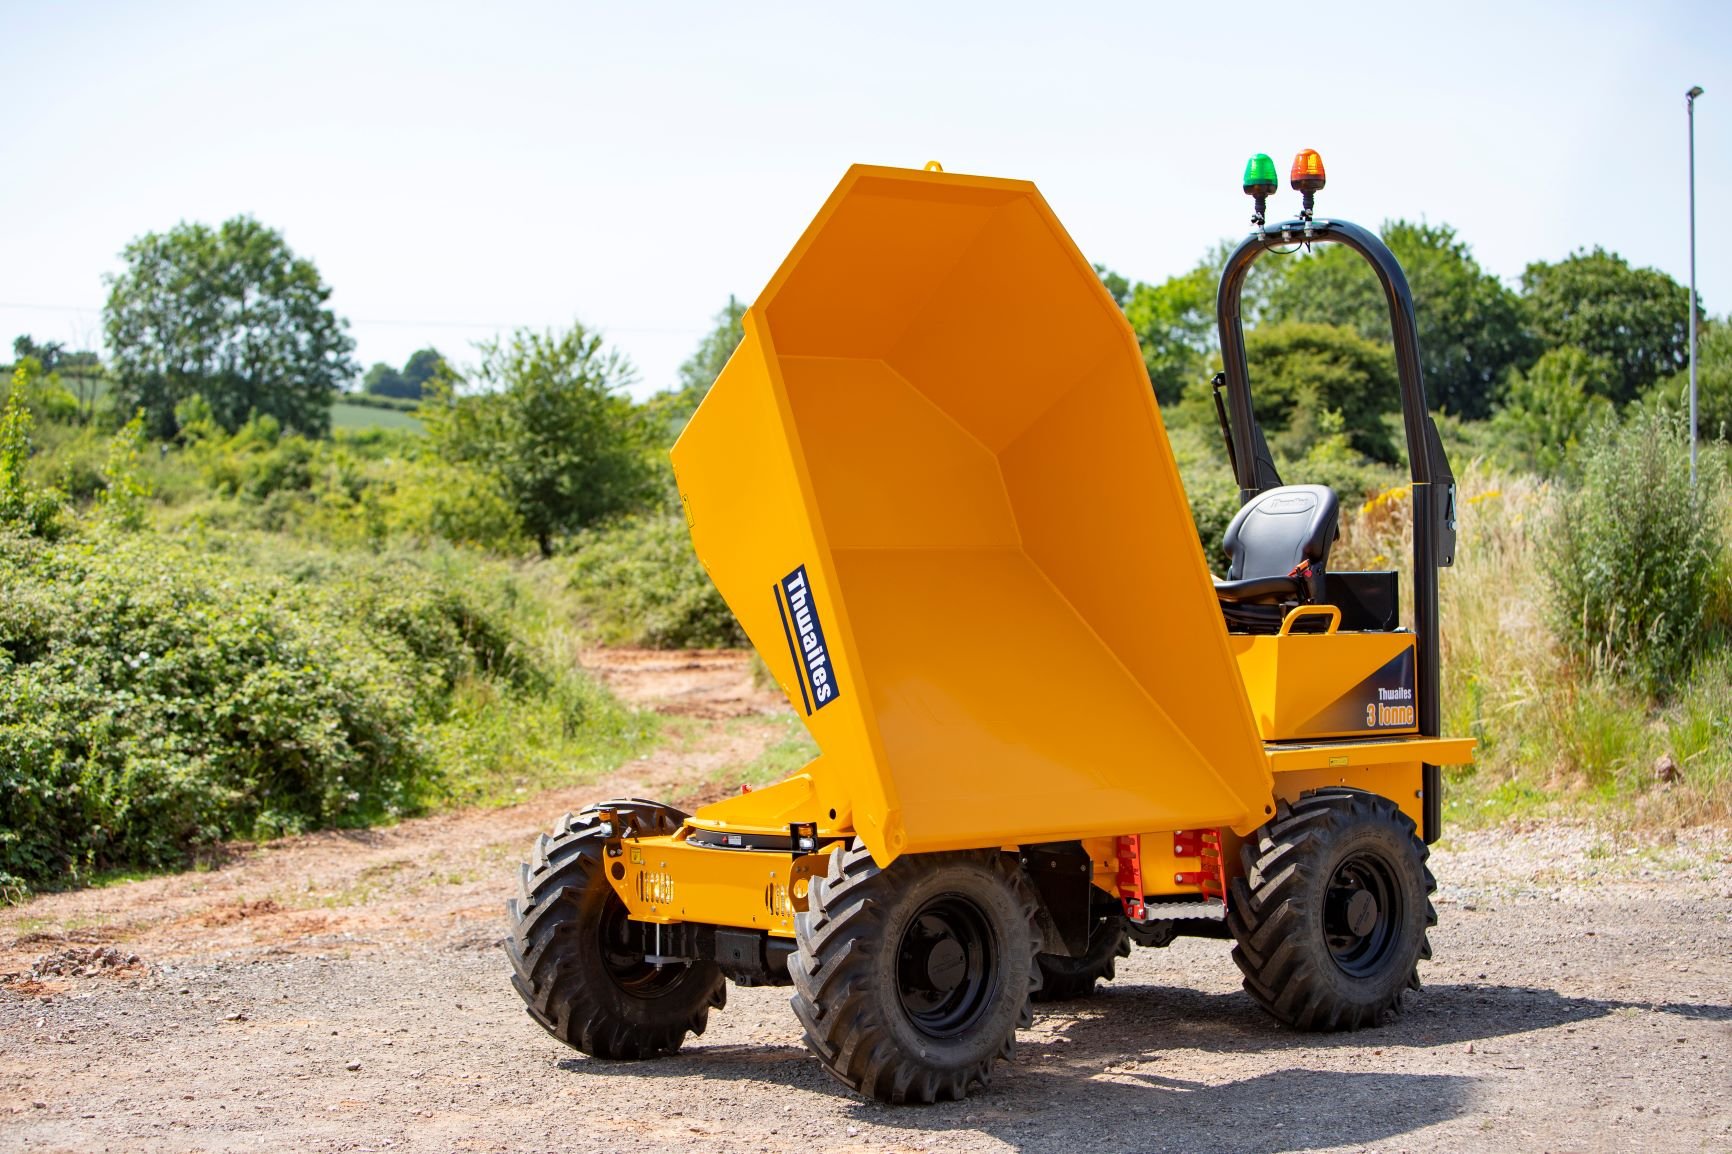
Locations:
column 1433, row 483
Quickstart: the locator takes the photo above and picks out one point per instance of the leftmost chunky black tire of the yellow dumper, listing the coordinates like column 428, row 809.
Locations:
column 571, row 959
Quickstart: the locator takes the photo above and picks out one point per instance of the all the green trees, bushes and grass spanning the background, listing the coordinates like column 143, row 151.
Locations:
column 224, row 618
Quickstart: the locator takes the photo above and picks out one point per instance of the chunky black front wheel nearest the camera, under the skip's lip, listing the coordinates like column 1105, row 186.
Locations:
column 912, row 982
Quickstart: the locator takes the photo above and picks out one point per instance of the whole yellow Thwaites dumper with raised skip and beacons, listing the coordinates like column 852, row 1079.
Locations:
column 934, row 488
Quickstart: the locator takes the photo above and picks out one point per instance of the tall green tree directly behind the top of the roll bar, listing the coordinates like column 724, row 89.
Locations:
column 1471, row 328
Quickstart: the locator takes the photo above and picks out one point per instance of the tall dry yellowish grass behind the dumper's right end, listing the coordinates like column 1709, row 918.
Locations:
column 1556, row 734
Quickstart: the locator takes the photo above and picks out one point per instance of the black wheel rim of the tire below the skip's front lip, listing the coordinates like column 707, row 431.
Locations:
column 947, row 968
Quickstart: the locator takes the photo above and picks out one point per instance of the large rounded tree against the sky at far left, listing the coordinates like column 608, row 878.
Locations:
column 233, row 314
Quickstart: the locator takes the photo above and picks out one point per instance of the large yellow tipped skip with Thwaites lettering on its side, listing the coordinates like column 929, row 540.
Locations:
column 943, row 417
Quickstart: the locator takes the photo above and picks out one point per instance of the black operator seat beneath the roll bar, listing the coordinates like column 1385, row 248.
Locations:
column 1279, row 547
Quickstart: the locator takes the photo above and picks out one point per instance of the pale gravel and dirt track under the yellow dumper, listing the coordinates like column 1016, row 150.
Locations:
column 347, row 994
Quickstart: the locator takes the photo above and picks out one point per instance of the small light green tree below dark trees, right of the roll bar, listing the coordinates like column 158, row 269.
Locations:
column 1549, row 410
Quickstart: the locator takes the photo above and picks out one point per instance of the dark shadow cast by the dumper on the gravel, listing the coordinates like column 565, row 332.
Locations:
column 1113, row 1072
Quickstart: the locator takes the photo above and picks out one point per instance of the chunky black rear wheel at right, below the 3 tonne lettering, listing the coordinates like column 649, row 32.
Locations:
column 1329, row 921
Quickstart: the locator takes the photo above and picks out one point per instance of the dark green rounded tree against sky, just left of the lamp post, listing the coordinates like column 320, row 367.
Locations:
column 1636, row 318
